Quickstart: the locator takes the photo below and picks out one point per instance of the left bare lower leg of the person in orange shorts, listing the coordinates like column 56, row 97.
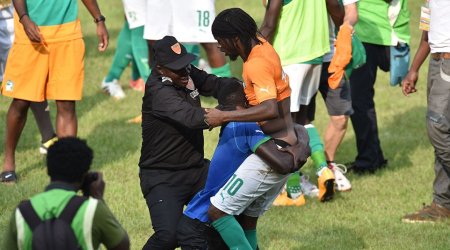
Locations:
column 15, row 122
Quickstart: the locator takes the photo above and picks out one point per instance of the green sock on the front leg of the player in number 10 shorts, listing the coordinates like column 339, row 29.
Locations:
column 232, row 233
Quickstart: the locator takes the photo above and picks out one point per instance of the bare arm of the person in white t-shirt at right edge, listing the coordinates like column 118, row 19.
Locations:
column 410, row 80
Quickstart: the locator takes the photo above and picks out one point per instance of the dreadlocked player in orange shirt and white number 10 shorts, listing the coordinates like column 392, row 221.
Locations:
column 254, row 185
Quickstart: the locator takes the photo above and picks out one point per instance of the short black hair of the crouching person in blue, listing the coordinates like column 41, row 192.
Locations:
column 231, row 94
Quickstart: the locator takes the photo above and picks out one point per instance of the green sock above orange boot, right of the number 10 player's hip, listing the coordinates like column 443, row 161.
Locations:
column 317, row 149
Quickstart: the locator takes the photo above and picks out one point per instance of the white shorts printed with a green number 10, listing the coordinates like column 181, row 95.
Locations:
column 251, row 190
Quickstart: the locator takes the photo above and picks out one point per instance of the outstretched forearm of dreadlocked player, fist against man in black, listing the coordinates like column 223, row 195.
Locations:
column 264, row 111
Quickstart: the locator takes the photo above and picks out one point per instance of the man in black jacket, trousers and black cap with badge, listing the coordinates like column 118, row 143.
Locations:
column 172, row 164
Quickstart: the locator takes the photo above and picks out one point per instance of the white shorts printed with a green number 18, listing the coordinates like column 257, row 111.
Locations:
column 189, row 21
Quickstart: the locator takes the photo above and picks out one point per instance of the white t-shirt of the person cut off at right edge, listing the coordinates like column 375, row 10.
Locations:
column 439, row 34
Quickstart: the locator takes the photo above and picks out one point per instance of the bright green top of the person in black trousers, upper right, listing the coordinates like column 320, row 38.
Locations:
column 374, row 26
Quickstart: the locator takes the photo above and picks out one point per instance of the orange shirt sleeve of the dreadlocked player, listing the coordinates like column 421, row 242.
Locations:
column 261, row 75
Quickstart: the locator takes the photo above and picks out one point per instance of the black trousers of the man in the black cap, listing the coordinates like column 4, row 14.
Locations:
column 166, row 193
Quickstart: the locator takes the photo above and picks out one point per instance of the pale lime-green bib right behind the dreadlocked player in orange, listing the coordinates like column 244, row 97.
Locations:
column 302, row 31
